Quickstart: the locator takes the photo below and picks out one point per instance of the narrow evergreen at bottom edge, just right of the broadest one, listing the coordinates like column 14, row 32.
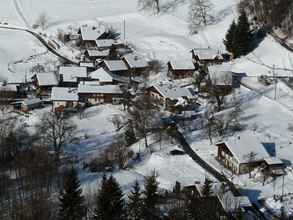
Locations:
column 135, row 203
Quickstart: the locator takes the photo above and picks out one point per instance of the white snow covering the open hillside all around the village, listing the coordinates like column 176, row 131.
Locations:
column 267, row 110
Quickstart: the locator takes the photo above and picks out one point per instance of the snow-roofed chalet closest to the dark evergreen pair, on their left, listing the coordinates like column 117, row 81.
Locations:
column 206, row 56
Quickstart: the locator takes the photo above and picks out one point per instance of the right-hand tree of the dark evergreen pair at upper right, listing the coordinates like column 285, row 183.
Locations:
column 243, row 36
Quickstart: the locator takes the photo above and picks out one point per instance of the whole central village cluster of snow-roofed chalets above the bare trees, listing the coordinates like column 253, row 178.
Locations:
column 108, row 68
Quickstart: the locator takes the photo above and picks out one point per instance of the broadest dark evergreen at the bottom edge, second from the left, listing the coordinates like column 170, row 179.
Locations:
column 110, row 203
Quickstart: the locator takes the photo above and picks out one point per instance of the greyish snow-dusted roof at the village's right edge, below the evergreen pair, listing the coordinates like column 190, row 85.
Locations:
column 221, row 74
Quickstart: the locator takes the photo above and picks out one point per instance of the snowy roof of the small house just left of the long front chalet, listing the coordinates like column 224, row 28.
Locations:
column 64, row 94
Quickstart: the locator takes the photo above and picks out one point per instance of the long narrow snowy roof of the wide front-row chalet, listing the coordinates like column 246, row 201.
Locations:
column 98, row 89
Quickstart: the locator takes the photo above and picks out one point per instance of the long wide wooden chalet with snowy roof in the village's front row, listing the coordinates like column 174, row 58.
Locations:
column 99, row 94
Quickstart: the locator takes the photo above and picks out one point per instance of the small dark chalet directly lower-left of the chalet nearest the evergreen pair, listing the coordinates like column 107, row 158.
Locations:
column 179, row 69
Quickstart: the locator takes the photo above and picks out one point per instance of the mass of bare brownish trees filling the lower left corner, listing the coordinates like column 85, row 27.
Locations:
column 29, row 164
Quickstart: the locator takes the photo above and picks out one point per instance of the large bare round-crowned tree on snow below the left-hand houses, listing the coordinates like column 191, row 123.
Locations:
column 56, row 130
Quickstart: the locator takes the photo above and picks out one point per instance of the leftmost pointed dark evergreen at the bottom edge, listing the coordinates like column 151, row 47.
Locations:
column 71, row 199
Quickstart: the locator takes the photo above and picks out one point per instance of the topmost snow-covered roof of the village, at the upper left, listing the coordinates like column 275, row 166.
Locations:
column 91, row 33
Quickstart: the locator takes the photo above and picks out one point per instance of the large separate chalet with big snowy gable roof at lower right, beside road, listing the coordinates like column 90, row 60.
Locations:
column 242, row 153
